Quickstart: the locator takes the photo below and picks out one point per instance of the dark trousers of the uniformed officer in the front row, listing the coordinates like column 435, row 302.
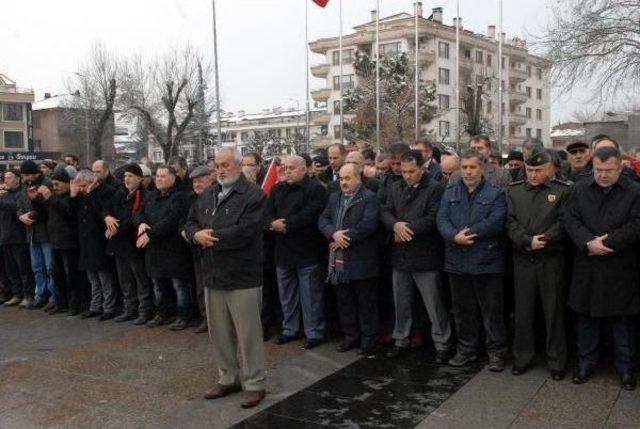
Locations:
column 542, row 277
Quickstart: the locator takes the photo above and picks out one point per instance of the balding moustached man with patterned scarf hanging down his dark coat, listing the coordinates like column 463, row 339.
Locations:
column 350, row 221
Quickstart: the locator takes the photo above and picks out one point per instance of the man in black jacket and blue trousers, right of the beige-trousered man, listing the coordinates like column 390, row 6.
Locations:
column 292, row 215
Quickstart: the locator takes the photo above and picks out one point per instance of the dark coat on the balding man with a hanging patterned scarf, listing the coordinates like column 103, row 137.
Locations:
column 361, row 221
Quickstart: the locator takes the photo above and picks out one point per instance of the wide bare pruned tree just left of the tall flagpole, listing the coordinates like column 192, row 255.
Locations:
column 164, row 96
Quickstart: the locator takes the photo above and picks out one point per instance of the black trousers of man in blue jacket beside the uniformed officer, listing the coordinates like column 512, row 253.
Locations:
column 473, row 296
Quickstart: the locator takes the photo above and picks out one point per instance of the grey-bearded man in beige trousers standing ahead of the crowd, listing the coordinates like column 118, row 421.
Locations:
column 227, row 223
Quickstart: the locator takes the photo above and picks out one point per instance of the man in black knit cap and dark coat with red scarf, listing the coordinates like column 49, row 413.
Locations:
column 121, row 233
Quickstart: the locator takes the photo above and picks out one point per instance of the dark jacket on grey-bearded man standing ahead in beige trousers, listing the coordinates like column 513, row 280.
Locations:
column 238, row 221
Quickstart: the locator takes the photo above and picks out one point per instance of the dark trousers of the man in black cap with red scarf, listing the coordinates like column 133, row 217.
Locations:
column 137, row 292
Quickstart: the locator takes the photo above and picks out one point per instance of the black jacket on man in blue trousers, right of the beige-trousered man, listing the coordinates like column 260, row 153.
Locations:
column 300, row 205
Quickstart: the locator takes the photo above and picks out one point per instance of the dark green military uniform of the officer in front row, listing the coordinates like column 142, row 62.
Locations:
column 535, row 210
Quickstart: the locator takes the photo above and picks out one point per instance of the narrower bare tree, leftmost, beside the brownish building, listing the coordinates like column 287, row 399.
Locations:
column 94, row 88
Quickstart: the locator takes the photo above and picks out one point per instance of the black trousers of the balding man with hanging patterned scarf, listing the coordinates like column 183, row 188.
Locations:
column 358, row 311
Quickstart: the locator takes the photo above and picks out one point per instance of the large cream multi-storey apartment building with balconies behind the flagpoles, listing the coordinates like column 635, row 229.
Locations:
column 526, row 89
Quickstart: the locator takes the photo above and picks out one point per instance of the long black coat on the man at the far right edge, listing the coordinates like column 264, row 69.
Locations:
column 604, row 286
